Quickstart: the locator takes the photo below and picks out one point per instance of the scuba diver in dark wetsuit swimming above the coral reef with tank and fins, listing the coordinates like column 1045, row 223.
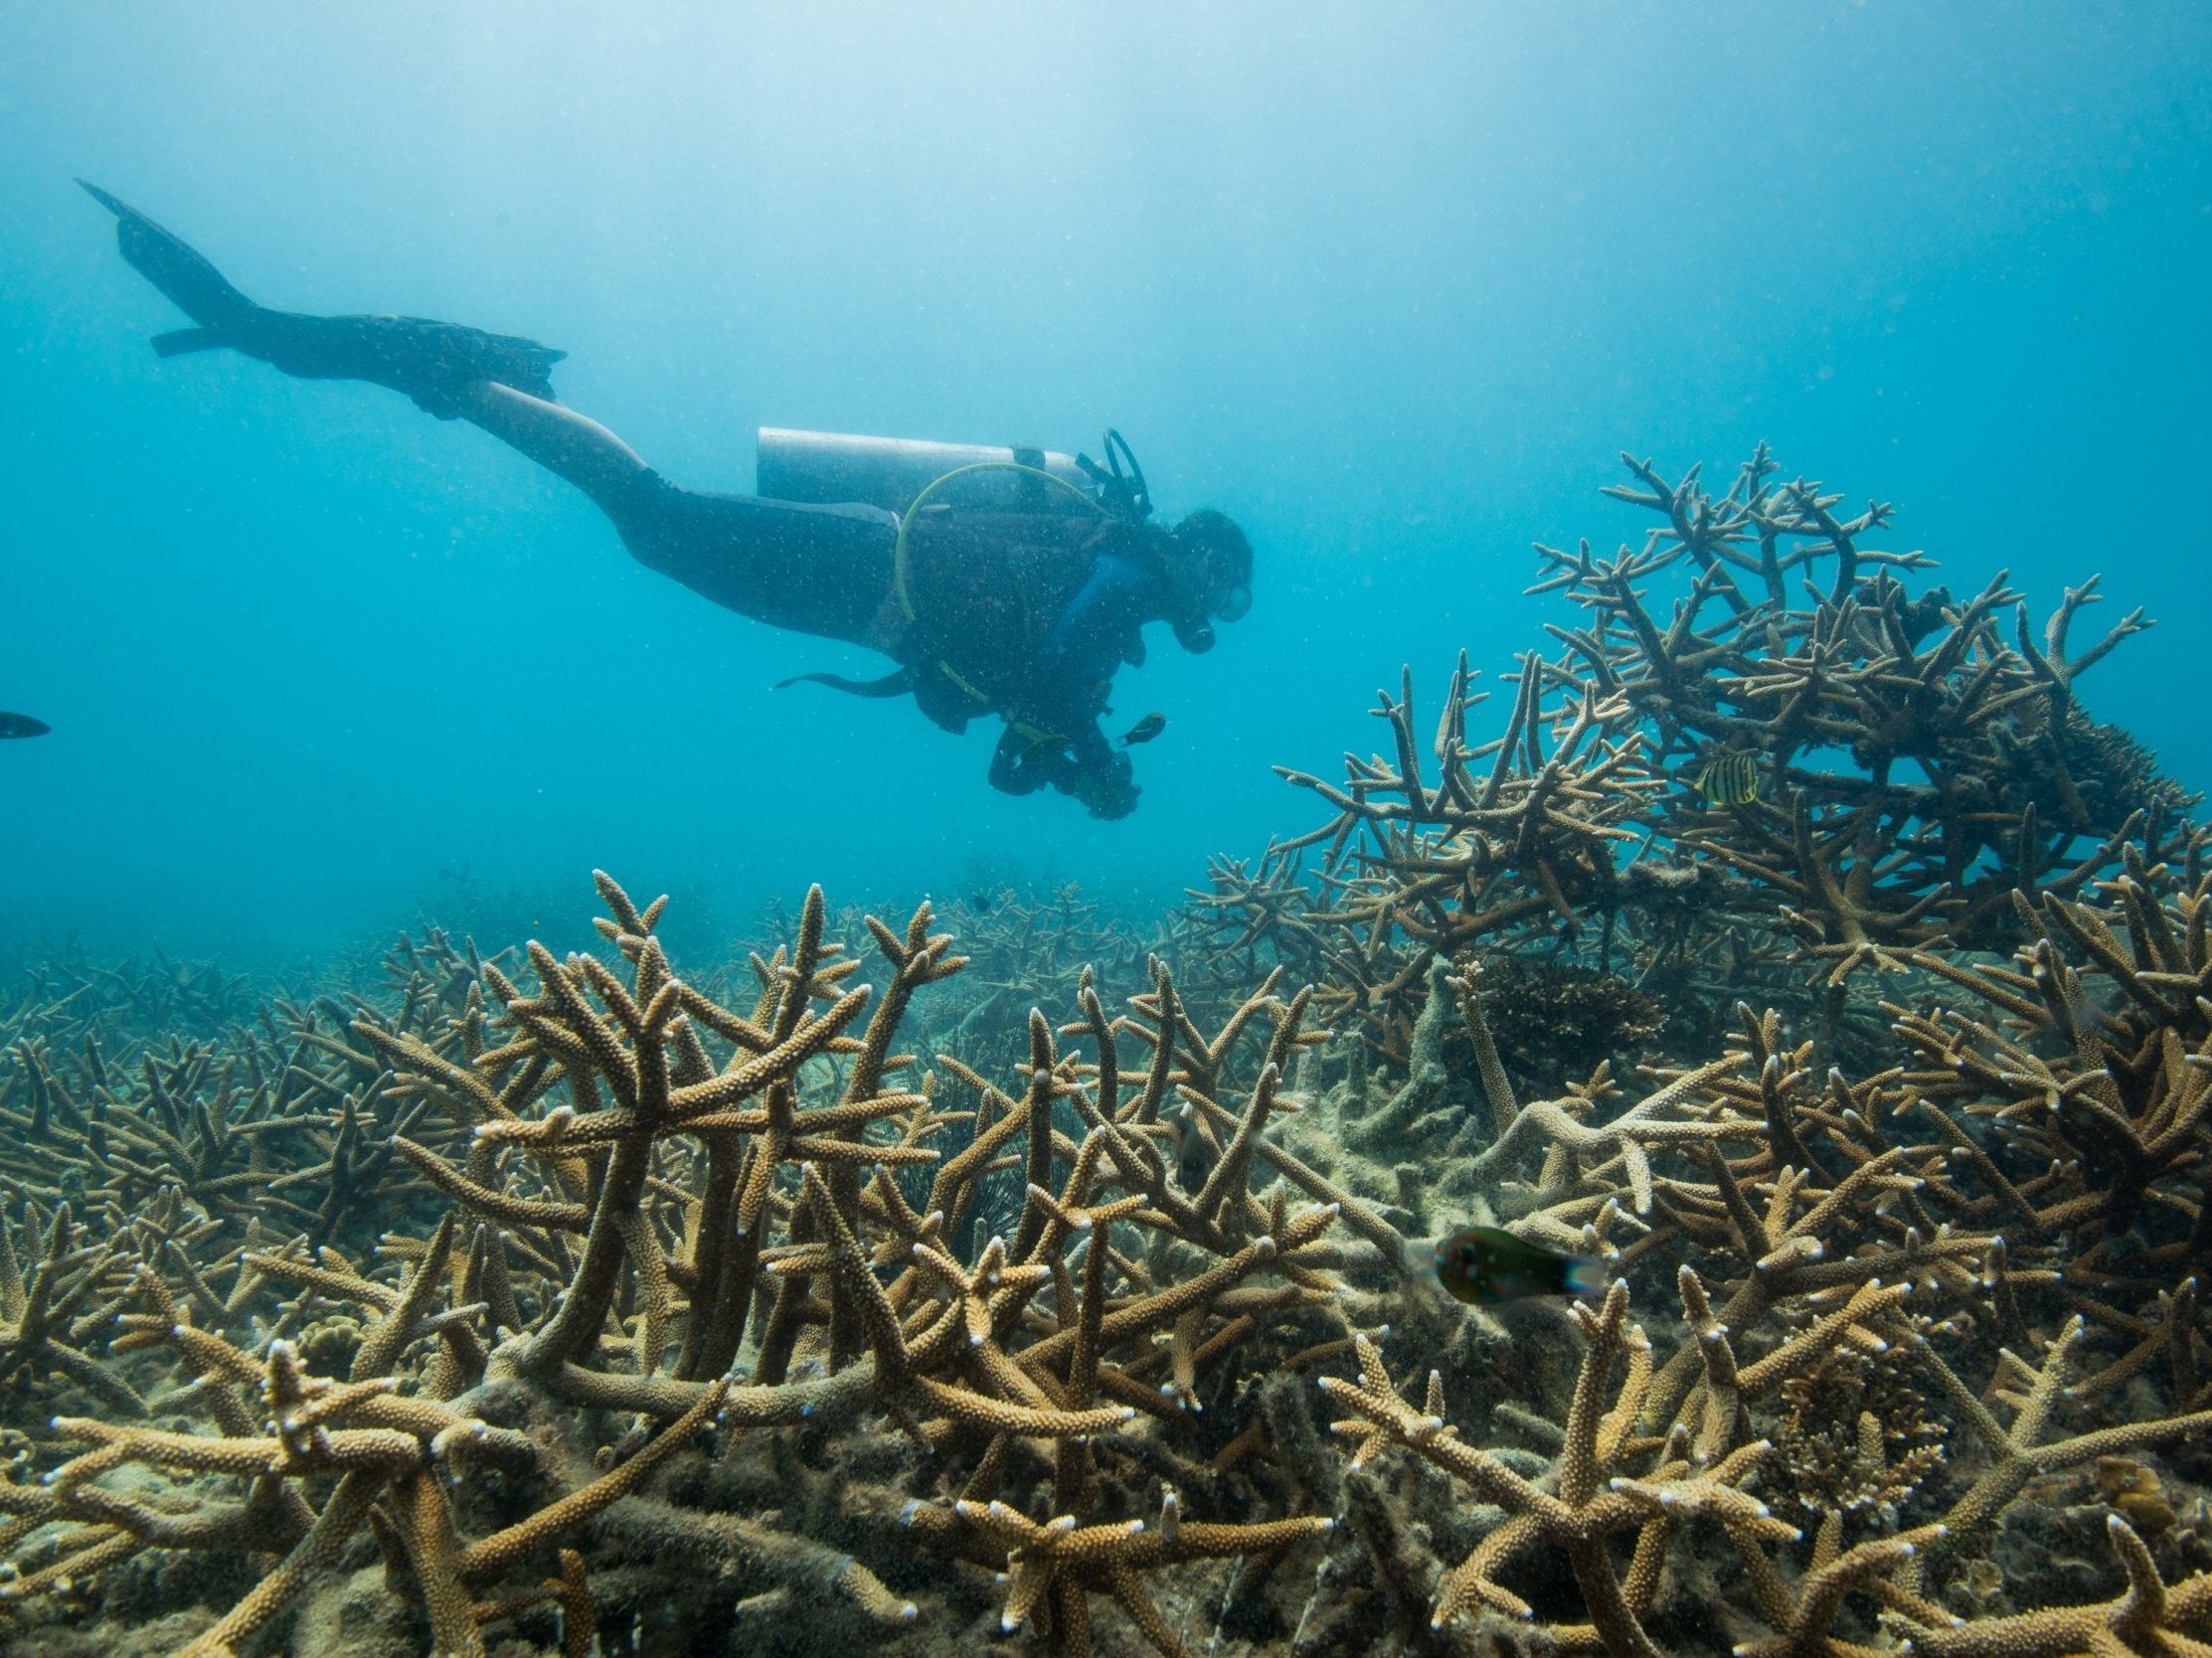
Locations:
column 1003, row 583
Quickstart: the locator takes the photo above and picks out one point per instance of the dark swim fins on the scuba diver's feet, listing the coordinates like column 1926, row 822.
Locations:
column 428, row 361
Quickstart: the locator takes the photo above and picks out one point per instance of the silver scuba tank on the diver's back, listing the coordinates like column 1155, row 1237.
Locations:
column 831, row 468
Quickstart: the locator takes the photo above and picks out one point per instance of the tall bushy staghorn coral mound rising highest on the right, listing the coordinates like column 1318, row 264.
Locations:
column 1912, row 770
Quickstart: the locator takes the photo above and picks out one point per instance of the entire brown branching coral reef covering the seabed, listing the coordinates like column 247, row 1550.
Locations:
column 1799, row 947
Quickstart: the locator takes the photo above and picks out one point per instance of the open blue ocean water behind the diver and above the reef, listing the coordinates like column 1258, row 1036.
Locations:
column 1390, row 284
